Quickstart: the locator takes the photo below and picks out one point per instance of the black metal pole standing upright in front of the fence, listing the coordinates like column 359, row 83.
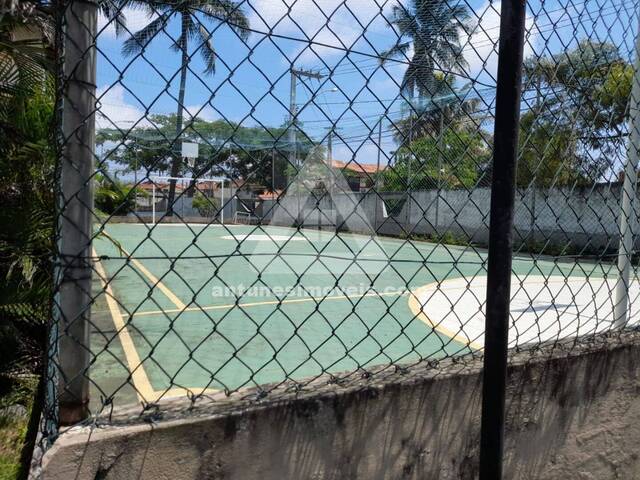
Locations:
column 509, row 86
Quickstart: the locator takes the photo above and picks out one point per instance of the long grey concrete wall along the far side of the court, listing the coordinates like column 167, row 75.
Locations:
column 585, row 217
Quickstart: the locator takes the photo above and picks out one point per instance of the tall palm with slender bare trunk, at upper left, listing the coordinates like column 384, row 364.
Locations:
column 192, row 15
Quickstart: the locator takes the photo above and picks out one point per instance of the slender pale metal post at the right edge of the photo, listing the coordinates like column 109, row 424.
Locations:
column 628, row 215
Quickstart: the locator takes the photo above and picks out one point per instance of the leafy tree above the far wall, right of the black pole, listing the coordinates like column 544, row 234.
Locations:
column 577, row 121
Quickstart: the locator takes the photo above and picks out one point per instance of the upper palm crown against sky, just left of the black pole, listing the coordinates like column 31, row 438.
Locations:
column 432, row 28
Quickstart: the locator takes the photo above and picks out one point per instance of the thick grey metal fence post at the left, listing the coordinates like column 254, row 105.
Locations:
column 75, row 206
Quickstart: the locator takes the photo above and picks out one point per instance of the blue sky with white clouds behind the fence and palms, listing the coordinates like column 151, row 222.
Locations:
column 341, row 40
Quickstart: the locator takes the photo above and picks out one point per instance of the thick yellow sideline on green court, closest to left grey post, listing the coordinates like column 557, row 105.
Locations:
column 143, row 387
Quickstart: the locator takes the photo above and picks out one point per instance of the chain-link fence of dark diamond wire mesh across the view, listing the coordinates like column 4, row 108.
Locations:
column 256, row 195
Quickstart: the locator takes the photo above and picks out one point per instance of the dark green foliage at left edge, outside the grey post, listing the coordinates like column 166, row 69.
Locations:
column 26, row 190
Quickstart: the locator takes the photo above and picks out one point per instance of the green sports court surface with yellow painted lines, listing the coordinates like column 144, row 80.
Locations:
column 204, row 309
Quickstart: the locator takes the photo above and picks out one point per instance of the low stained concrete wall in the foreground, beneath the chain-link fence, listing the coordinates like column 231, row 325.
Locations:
column 573, row 413
